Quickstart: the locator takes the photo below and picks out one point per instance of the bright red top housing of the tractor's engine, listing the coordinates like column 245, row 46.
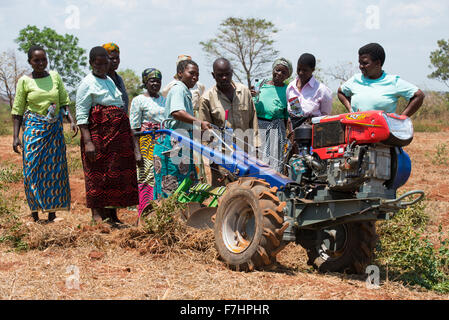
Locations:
column 332, row 134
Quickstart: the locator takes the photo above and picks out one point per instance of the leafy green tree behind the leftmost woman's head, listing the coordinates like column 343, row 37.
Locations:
column 63, row 52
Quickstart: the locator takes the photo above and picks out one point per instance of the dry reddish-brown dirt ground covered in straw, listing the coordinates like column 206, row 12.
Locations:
column 99, row 266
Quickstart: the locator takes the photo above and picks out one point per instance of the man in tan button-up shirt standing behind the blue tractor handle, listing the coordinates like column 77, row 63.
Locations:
column 242, row 116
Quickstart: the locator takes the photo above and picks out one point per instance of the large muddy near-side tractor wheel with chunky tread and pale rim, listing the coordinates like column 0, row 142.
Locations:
column 249, row 225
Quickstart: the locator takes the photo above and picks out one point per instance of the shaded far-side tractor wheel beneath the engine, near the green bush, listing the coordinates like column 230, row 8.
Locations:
column 346, row 248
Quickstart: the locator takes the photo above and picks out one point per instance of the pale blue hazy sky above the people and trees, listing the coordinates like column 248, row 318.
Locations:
column 153, row 33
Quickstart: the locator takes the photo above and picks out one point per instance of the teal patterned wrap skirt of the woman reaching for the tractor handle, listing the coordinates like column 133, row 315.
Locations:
column 172, row 164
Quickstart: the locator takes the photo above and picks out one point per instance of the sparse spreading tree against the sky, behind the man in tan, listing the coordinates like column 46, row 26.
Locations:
column 247, row 43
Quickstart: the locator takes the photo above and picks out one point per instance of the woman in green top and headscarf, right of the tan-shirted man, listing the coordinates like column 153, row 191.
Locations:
column 271, row 108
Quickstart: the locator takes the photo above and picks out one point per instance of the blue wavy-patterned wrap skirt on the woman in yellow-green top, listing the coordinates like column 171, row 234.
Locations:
column 45, row 171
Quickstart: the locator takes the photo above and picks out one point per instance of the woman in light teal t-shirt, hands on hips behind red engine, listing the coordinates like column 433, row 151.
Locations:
column 374, row 89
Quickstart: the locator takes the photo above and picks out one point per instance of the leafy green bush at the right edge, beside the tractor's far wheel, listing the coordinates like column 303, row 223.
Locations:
column 408, row 255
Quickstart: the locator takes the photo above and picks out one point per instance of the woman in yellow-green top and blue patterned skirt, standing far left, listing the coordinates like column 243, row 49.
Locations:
column 39, row 104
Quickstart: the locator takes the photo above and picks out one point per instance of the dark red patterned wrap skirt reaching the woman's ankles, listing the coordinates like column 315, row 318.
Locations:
column 111, row 179
